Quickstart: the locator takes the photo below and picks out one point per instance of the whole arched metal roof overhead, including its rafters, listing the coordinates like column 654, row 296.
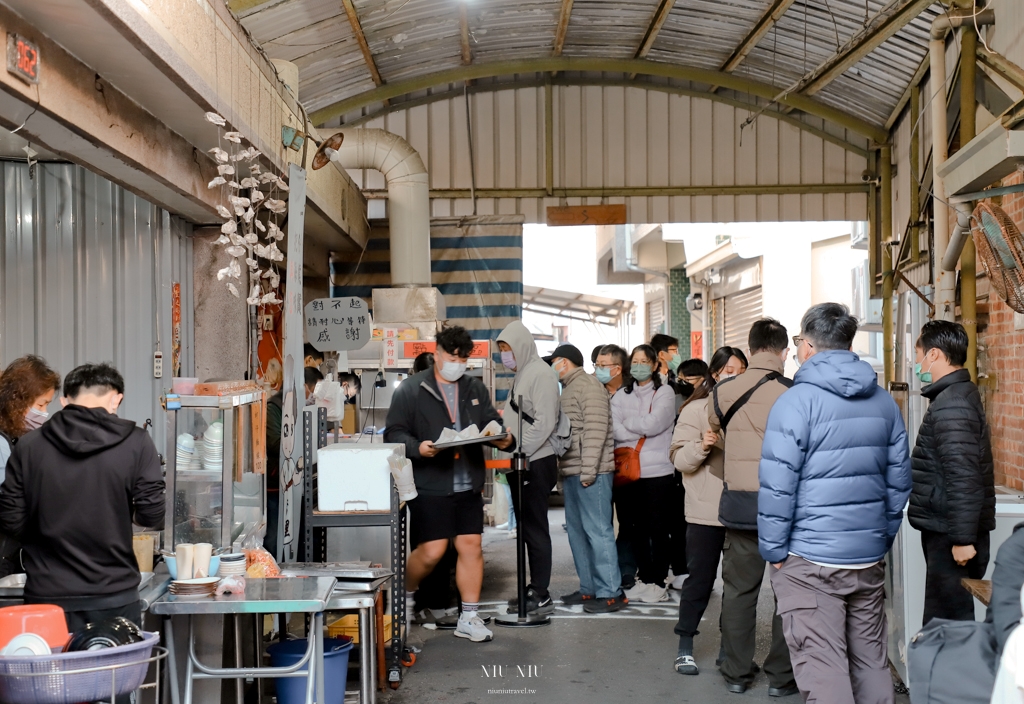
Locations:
column 850, row 62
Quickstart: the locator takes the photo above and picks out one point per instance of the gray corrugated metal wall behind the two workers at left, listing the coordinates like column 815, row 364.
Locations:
column 88, row 273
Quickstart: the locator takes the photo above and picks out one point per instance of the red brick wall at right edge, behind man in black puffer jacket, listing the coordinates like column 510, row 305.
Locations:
column 1005, row 348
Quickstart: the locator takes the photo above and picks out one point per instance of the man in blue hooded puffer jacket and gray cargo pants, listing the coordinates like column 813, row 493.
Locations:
column 835, row 476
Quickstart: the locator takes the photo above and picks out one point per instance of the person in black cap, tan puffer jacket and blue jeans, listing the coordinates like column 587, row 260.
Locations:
column 587, row 469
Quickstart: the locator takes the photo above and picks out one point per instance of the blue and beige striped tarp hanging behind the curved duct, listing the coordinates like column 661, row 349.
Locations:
column 477, row 263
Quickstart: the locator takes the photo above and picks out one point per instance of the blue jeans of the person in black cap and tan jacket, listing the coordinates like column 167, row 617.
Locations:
column 588, row 520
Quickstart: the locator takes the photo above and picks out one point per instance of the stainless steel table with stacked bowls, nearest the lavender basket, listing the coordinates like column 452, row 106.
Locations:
column 281, row 596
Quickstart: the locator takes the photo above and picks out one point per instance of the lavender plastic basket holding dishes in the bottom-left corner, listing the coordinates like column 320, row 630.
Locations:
column 59, row 679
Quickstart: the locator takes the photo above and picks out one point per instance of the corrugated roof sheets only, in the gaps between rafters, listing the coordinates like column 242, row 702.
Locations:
column 410, row 38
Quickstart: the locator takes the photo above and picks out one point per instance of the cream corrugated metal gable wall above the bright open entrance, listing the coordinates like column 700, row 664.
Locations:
column 615, row 137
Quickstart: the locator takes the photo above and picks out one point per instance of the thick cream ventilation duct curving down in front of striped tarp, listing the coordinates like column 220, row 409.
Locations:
column 409, row 198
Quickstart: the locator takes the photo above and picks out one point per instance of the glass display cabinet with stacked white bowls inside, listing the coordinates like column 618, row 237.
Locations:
column 217, row 463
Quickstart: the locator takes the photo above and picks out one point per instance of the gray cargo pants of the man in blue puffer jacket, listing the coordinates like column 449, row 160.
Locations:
column 835, row 624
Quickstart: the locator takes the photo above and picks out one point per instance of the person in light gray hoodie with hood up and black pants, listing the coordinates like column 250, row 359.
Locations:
column 535, row 397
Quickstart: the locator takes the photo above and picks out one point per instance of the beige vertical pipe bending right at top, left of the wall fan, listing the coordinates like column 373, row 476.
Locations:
column 946, row 281
